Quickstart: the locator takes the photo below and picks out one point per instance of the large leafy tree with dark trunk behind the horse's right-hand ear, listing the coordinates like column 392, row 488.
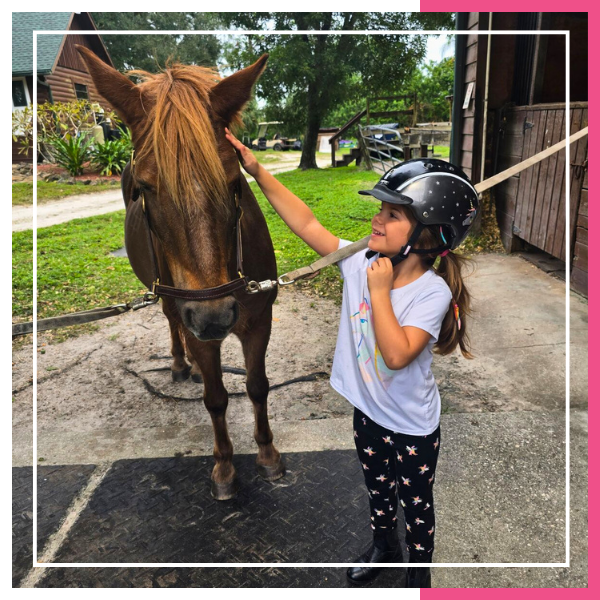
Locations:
column 311, row 74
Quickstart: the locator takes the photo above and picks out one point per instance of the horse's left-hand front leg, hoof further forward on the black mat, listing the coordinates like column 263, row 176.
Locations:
column 207, row 355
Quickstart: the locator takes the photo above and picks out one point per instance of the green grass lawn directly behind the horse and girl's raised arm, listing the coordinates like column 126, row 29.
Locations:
column 76, row 271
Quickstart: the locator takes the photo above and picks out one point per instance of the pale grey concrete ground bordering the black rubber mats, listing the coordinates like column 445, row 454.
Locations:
column 501, row 479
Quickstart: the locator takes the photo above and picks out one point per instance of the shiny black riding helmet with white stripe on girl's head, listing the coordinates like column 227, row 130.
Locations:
column 438, row 193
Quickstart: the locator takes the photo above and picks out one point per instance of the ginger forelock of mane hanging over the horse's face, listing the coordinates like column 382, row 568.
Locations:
column 180, row 134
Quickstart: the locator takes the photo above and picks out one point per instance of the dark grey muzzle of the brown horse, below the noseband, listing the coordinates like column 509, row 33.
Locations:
column 210, row 319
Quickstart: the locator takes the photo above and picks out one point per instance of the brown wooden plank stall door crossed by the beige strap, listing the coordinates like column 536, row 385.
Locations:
column 531, row 205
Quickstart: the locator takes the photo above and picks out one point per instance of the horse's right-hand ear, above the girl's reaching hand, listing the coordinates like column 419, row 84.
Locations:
column 230, row 95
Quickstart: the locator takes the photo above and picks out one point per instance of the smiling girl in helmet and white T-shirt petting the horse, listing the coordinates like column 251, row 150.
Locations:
column 396, row 308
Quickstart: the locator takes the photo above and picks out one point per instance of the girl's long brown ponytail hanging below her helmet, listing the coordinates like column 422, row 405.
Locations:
column 452, row 268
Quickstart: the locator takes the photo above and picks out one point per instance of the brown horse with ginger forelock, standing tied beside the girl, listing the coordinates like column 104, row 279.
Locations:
column 187, row 175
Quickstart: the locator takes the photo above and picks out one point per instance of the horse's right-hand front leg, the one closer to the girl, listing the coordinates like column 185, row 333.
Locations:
column 269, row 464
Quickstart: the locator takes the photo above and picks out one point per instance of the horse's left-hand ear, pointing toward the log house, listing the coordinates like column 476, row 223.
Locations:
column 122, row 94
